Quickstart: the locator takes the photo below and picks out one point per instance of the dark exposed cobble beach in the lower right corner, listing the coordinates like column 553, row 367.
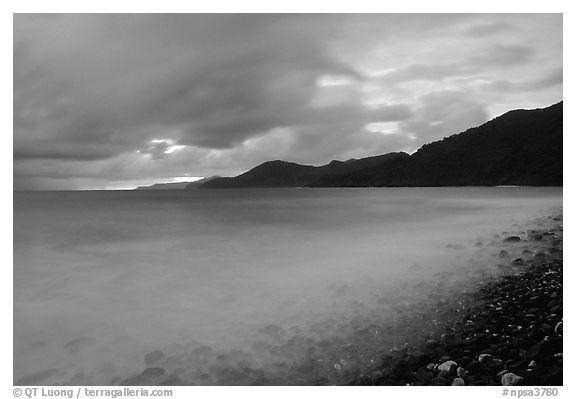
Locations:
column 510, row 332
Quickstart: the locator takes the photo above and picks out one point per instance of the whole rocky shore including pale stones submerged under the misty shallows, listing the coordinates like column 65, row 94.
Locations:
column 492, row 318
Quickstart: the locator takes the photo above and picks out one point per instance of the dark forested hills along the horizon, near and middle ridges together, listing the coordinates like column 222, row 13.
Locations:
column 518, row 148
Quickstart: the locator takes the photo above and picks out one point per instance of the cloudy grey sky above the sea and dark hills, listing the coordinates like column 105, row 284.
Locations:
column 114, row 101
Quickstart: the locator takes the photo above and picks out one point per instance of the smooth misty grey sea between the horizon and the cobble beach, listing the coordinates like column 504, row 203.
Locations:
column 259, row 281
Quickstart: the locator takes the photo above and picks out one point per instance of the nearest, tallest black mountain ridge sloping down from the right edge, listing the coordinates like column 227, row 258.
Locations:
column 520, row 147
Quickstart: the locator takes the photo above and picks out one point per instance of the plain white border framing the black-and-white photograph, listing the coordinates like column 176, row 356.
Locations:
column 249, row 6
